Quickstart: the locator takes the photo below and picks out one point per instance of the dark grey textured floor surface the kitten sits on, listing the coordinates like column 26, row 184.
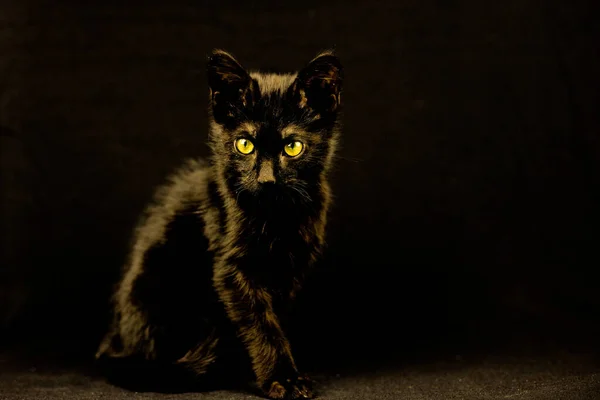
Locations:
column 569, row 378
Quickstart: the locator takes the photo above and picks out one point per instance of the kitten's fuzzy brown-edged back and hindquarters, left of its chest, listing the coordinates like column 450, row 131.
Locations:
column 169, row 268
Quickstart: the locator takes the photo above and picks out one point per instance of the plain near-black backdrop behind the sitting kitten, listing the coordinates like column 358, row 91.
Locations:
column 467, row 189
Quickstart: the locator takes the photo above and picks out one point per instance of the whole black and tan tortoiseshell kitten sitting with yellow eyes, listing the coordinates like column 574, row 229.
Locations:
column 225, row 245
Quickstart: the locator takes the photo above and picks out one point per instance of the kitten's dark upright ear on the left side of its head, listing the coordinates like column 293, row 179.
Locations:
column 231, row 87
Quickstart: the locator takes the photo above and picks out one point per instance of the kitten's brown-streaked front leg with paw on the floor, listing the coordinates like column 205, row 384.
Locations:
column 250, row 308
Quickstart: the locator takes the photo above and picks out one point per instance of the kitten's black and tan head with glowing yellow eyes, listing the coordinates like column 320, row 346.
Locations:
column 274, row 134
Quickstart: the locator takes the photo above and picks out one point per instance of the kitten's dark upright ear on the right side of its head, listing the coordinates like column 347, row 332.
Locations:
column 317, row 88
